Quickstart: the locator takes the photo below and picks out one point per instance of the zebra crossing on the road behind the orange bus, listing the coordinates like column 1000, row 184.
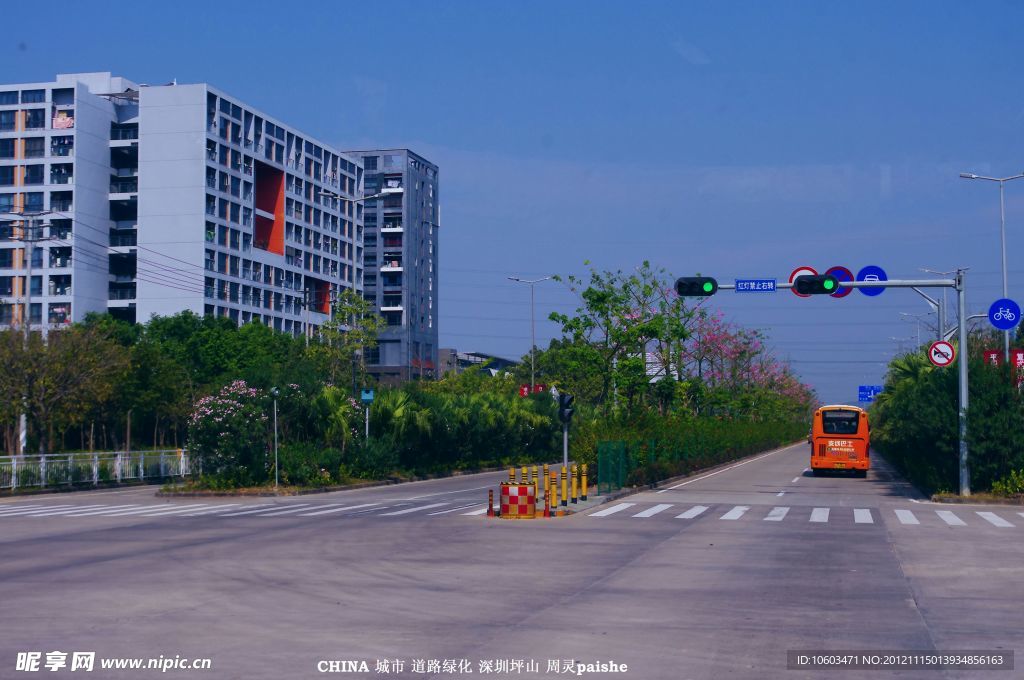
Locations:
column 819, row 516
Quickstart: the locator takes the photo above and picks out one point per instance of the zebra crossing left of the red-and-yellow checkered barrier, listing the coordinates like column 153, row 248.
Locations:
column 239, row 511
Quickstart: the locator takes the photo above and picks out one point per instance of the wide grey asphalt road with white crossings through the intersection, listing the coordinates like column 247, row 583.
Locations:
column 716, row 577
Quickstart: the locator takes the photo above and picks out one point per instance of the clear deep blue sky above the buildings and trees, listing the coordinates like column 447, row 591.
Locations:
column 732, row 139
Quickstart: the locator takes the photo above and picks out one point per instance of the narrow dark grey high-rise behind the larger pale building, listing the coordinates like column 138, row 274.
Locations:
column 401, row 278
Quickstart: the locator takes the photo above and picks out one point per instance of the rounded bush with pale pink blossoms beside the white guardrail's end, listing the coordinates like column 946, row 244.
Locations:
column 229, row 433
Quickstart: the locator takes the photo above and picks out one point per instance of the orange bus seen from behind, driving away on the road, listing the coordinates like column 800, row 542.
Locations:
column 841, row 441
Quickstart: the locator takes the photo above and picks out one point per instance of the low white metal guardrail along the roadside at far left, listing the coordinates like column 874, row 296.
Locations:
column 68, row 470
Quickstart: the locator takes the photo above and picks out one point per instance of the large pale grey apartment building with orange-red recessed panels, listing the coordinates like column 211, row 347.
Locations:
column 161, row 199
